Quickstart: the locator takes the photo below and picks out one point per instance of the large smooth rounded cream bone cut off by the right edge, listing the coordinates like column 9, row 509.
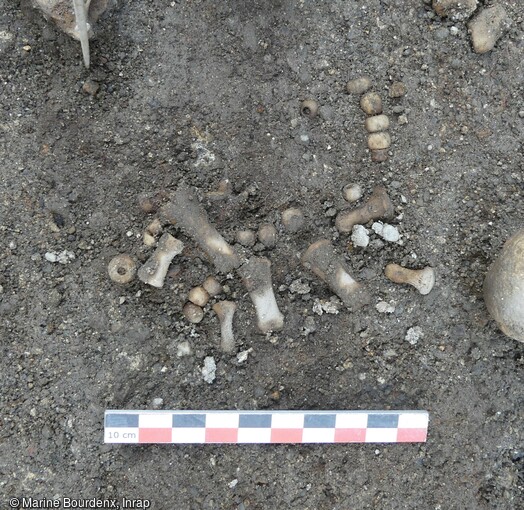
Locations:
column 504, row 288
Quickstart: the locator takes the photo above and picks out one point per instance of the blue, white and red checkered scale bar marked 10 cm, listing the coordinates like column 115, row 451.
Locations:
column 264, row 427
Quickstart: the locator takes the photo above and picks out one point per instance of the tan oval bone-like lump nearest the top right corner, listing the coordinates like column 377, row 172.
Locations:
column 487, row 28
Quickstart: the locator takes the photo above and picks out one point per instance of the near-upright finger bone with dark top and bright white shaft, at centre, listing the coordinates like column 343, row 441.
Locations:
column 256, row 276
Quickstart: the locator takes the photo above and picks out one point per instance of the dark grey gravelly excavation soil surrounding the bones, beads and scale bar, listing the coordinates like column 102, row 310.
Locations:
column 198, row 92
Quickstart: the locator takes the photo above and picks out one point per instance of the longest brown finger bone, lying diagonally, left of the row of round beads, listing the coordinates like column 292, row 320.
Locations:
column 185, row 212
